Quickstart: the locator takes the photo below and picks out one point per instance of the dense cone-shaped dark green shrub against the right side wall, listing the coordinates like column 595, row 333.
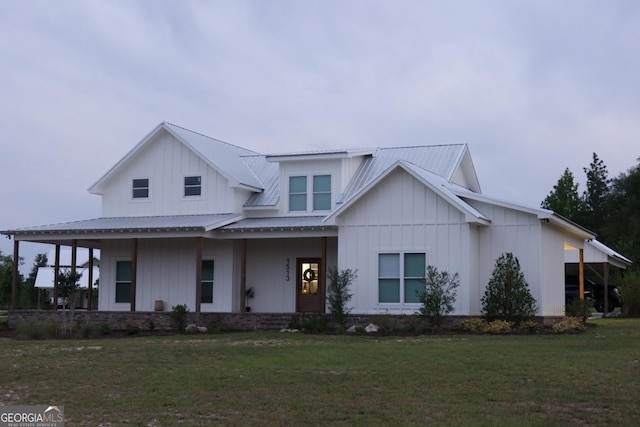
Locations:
column 507, row 296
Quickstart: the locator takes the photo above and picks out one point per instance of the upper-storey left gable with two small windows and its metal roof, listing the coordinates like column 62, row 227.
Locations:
column 174, row 171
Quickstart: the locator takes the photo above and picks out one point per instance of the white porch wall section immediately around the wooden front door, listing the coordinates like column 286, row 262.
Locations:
column 271, row 270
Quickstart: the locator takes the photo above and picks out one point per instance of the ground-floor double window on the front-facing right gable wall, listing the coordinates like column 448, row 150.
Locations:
column 401, row 277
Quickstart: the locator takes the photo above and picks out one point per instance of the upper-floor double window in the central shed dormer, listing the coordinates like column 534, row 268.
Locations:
column 314, row 192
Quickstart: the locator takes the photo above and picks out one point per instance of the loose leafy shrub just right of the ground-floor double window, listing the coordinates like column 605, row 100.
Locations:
column 439, row 294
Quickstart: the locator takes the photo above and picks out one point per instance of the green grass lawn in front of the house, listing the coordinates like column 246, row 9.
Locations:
column 294, row 379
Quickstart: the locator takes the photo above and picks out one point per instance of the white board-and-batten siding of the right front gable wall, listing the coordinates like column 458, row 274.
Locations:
column 401, row 214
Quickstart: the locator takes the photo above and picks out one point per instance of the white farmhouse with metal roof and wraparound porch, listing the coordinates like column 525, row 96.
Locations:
column 188, row 219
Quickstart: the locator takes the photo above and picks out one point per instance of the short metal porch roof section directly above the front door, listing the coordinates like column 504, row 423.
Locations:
column 278, row 227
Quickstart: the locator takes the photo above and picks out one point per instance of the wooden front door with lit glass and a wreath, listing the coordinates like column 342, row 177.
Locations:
column 310, row 285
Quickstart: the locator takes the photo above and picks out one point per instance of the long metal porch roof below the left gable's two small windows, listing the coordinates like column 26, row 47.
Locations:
column 89, row 232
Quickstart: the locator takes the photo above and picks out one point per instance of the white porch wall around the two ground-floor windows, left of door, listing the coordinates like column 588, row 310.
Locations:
column 167, row 271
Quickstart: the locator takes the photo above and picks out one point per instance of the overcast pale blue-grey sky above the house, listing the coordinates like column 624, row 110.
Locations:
column 532, row 87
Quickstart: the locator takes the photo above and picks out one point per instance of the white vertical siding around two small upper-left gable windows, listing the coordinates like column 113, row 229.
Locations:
column 165, row 161
